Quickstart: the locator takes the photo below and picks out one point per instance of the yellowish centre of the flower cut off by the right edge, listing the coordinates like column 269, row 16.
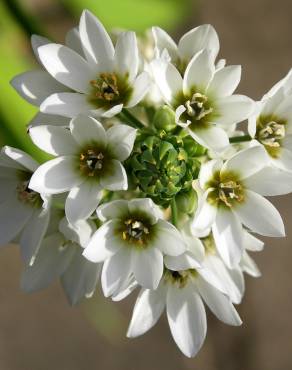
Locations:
column 272, row 134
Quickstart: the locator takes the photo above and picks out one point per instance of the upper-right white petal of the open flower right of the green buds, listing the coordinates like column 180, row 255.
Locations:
column 247, row 162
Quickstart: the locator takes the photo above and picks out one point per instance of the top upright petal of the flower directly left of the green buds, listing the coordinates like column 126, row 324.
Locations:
column 86, row 130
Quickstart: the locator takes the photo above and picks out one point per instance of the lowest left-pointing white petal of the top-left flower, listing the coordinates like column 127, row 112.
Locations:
column 68, row 105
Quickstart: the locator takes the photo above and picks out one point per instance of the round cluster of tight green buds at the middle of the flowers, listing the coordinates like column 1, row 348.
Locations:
column 161, row 167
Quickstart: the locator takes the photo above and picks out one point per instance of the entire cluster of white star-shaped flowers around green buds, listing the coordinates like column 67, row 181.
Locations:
column 151, row 184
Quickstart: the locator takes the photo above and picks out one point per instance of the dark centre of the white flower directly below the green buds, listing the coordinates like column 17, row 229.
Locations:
column 135, row 232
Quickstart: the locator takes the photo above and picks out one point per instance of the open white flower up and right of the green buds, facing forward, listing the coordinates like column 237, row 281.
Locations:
column 203, row 98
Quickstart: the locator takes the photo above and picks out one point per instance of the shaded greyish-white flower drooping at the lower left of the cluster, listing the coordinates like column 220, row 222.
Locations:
column 60, row 256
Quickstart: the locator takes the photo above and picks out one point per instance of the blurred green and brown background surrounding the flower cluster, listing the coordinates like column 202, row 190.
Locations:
column 41, row 331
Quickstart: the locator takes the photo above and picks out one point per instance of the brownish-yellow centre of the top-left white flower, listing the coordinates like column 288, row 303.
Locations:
column 106, row 87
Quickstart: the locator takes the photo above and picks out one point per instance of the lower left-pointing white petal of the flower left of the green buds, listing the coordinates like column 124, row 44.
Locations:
column 56, row 176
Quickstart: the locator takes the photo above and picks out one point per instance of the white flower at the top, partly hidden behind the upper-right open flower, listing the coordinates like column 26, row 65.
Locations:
column 197, row 39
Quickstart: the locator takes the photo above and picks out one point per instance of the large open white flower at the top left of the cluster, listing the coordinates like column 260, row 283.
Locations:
column 100, row 84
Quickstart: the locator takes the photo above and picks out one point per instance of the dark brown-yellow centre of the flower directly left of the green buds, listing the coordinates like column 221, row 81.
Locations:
column 91, row 162
